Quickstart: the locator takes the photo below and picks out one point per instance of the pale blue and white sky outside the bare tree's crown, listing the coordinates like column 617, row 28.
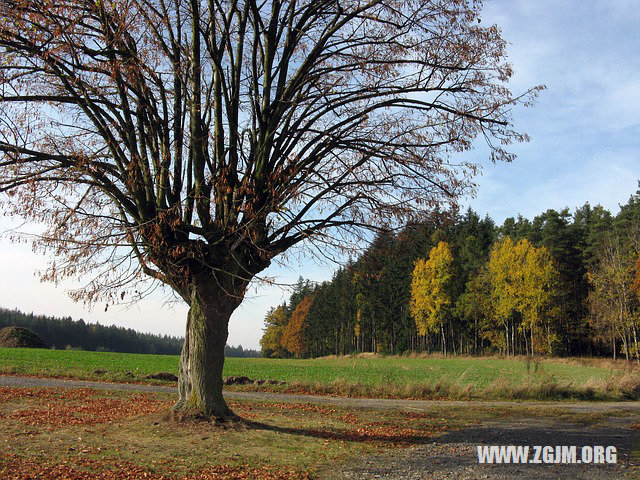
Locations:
column 585, row 147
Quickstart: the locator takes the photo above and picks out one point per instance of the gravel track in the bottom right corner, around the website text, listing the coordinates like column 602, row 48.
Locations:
column 454, row 455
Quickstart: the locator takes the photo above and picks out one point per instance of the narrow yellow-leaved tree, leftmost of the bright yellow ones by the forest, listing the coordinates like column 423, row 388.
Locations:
column 430, row 297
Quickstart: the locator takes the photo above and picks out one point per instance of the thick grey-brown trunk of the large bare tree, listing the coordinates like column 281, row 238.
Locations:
column 202, row 358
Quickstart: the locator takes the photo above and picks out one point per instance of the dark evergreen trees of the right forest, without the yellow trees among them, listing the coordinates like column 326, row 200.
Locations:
column 364, row 308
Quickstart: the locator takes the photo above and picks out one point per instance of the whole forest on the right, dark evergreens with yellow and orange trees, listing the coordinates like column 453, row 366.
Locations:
column 562, row 284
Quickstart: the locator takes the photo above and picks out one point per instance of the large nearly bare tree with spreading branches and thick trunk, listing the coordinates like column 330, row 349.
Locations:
column 193, row 141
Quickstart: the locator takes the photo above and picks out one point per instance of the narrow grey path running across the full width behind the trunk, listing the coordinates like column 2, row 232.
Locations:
column 378, row 403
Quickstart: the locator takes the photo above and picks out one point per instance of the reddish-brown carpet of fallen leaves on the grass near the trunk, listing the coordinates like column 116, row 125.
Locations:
column 49, row 410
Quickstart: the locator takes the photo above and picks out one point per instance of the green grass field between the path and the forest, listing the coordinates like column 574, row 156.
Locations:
column 421, row 377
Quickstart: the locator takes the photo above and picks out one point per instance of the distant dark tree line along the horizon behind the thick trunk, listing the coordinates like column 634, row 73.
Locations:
column 66, row 333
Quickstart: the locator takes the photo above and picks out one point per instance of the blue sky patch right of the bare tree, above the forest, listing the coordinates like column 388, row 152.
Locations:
column 585, row 126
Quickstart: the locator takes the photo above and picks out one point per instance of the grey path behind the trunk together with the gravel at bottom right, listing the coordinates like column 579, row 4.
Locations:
column 454, row 454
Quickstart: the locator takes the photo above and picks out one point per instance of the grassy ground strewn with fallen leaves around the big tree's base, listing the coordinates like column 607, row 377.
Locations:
column 132, row 440
